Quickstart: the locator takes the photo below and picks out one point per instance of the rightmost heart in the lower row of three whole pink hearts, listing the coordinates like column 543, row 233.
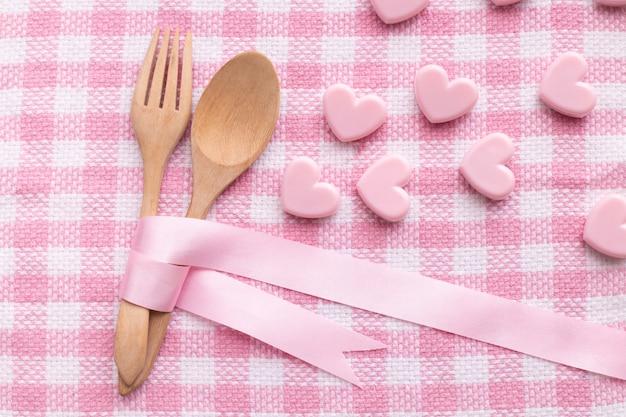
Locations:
column 483, row 166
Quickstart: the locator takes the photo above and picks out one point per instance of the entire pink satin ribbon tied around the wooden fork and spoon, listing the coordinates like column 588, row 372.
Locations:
column 210, row 247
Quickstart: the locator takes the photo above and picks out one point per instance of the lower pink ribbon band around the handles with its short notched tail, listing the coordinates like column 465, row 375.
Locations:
column 225, row 300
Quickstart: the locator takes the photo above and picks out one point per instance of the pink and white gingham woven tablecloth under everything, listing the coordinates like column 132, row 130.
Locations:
column 71, row 181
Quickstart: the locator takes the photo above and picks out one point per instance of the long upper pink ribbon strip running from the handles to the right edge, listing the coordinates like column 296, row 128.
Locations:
column 384, row 290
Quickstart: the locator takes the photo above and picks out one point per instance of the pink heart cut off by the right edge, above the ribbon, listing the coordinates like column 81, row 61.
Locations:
column 605, row 228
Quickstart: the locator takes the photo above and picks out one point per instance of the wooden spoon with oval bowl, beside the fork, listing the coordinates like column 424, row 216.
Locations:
column 234, row 120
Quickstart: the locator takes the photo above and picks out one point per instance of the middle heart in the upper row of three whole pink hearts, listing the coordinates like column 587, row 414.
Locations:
column 442, row 100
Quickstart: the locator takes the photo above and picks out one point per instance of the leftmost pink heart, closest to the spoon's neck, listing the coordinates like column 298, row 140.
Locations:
column 303, row 195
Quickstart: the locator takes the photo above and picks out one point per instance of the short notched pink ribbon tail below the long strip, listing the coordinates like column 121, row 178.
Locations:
column 286, row 326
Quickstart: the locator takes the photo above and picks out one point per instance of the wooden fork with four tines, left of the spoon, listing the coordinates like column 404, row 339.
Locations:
column 159, row 115
